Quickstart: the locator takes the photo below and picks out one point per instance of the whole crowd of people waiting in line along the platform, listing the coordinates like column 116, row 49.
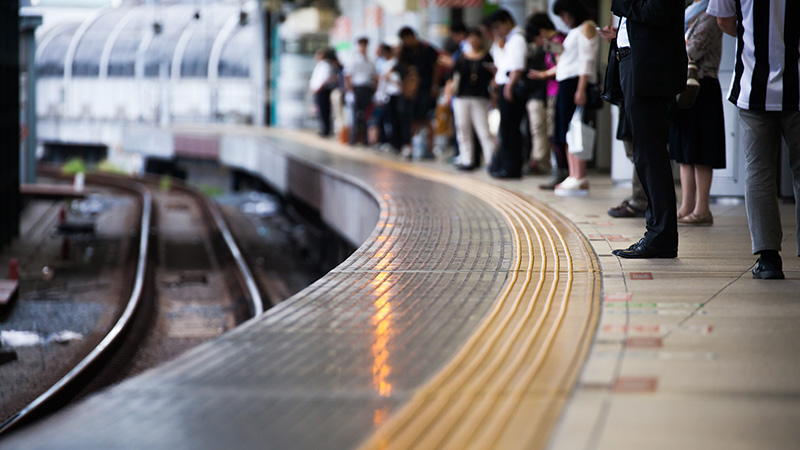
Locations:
column 538, row 73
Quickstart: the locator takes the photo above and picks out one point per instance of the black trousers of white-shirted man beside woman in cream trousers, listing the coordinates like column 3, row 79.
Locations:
column 508, row 158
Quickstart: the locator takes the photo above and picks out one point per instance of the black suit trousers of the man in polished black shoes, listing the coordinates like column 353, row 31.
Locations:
column 647, row 117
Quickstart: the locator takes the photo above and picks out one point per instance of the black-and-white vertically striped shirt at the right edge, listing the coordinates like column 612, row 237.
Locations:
column 768, row 44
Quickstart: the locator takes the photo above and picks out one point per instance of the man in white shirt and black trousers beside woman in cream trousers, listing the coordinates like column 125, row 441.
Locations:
column 509, row 52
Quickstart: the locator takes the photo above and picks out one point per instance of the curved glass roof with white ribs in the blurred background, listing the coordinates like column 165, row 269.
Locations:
column 238, row 49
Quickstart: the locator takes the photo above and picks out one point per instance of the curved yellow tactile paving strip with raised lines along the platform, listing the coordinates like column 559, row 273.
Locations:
column 505, row 387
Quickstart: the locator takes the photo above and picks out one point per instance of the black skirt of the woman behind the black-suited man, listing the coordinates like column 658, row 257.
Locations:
column 697, row 135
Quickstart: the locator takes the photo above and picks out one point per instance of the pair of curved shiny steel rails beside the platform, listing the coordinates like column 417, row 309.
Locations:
column 106, row 362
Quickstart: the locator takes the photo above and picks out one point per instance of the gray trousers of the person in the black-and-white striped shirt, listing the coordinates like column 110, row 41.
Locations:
column 760, row 138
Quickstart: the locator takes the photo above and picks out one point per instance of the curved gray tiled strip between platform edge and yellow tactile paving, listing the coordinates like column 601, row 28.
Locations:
column 323, row 368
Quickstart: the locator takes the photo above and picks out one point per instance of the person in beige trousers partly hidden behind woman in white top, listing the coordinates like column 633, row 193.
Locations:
column 541, row 114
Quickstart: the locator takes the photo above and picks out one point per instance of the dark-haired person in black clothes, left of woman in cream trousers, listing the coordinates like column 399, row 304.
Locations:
column 423, row 58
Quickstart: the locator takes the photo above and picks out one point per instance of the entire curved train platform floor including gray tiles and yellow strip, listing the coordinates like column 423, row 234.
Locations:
column 477, row 313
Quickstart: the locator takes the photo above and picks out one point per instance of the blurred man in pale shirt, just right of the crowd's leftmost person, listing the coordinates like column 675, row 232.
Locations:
column 360, row 78
